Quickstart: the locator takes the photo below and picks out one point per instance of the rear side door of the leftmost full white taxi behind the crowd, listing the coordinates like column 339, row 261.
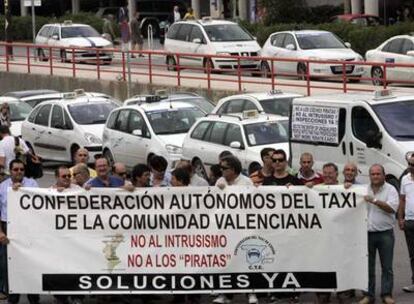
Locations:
column 41, row 140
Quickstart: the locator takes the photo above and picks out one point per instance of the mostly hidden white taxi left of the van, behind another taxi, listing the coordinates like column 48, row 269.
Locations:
column 273, row 102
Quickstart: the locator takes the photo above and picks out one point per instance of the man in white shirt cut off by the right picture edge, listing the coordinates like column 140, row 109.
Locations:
column 406, row 215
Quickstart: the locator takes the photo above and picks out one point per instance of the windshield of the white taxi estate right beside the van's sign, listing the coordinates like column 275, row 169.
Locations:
column 267, row 133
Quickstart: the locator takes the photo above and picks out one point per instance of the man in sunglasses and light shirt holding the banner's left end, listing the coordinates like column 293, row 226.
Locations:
column 15, row 181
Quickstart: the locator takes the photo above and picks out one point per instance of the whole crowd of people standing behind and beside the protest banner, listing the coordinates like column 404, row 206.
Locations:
column 384, row 203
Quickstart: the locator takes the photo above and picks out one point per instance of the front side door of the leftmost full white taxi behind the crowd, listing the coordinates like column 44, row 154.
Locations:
column 58, row 134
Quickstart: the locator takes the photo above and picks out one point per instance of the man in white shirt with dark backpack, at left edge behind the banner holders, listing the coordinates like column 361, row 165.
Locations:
column 8, row 147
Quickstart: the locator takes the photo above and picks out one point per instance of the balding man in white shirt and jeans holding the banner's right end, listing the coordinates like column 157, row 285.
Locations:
column 382, row 204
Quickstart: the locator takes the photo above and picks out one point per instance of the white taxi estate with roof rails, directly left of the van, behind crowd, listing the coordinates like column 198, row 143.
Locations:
column 243, row 135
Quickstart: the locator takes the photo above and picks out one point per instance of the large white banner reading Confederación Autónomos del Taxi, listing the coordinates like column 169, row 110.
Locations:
column 190, row 240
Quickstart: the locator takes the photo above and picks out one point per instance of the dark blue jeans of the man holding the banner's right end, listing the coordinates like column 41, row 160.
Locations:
column 383, row 241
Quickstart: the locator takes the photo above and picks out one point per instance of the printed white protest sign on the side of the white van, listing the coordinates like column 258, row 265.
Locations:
column 315, row 124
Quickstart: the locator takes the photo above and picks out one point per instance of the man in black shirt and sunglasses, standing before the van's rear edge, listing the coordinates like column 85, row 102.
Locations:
column 280, row 176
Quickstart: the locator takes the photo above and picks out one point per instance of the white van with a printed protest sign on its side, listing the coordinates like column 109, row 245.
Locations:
column 364, row 128
